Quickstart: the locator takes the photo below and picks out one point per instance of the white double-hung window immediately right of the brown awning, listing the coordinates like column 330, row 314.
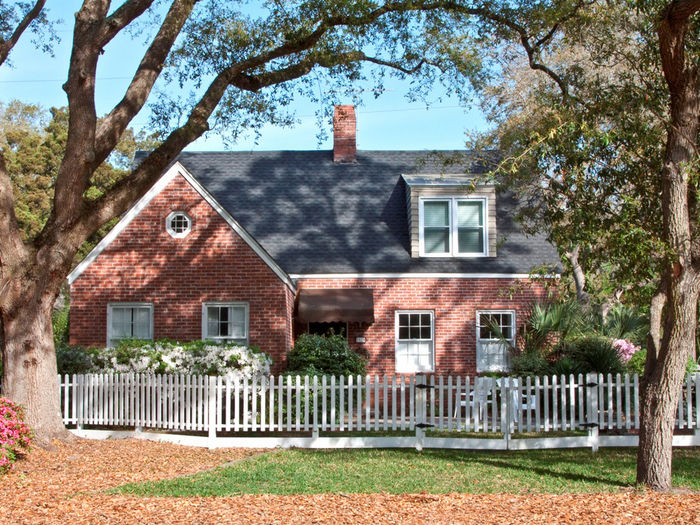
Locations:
column 415, row 341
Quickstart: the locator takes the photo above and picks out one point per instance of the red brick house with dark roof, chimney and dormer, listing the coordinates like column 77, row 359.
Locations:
column 397, row 250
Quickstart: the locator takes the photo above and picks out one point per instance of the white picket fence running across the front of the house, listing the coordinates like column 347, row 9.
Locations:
column 283, row 410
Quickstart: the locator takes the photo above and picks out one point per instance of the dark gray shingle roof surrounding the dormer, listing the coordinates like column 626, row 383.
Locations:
column 314, row 216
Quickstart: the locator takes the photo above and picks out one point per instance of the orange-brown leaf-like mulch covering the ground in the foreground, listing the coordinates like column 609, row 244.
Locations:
column 65, row 485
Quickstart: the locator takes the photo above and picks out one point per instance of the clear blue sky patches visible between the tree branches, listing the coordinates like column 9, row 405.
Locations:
column 389, row 122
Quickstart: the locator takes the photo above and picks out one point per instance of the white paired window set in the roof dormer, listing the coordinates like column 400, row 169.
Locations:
column 453, row 227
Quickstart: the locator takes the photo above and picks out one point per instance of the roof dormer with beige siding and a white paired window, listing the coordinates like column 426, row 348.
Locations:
column 450, row 216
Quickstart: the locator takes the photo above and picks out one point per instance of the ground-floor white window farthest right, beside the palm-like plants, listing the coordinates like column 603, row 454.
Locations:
column 495, row 335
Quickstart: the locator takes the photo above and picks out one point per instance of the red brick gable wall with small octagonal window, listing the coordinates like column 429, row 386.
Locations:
column 213, row 263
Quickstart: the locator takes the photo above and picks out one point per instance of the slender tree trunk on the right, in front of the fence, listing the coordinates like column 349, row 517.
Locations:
column 663, row 377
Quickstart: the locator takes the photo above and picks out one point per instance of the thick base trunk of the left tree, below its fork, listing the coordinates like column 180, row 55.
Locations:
column 29, row 362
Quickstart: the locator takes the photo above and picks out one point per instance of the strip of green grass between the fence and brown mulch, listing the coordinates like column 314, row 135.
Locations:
column 433, row 471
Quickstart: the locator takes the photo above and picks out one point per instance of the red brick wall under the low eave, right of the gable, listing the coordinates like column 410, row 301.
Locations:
column 454, row 302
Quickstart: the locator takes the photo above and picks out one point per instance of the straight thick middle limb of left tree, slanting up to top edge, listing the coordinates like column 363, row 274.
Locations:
column 113, row 125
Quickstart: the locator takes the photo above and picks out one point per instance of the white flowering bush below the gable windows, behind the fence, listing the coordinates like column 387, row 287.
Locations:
column 195, row 358
